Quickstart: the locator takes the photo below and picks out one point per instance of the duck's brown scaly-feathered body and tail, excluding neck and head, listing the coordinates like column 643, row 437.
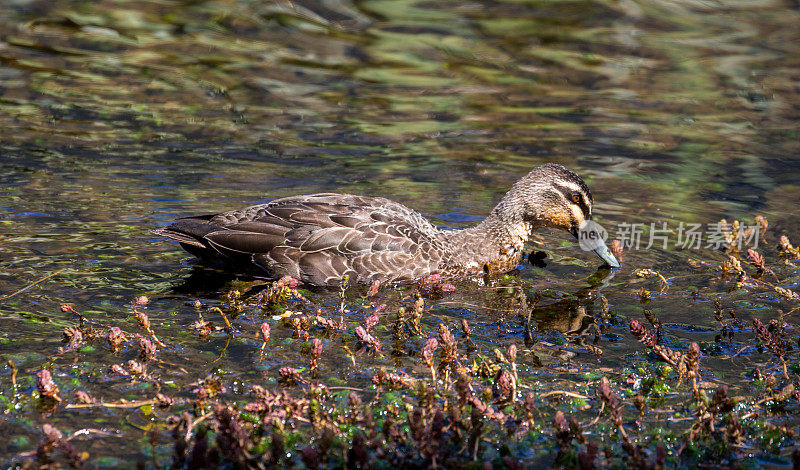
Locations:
column 319, row 239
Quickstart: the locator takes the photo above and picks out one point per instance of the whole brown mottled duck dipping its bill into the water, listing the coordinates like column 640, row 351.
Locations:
column 326, row 239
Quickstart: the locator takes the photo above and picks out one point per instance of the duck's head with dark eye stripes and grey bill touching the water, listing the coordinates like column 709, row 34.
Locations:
column 554, row 196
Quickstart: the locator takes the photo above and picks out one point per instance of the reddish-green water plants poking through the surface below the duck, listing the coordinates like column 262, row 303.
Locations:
column 425, row 391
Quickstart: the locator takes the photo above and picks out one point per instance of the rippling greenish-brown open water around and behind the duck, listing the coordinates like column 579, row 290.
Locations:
column 118, row 117
